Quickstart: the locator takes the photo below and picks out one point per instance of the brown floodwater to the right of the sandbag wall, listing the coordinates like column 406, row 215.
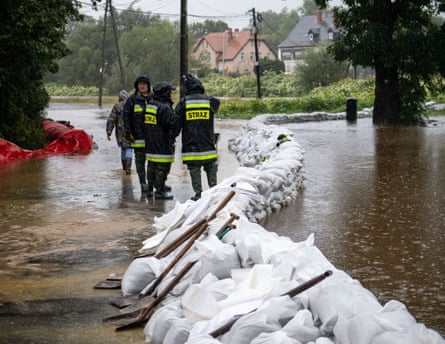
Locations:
column 374, row 199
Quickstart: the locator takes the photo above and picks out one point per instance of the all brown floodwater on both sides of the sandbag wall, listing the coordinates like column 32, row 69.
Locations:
column 373, row 197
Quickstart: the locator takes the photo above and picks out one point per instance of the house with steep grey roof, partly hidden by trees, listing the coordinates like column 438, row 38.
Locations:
column 308, row 33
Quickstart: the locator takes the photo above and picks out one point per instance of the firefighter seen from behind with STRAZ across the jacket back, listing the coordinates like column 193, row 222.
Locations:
column 195, row 118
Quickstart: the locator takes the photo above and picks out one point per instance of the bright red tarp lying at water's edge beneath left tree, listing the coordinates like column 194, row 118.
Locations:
column 64, row 140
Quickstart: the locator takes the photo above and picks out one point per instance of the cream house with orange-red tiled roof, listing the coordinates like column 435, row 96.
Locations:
column 231, row 51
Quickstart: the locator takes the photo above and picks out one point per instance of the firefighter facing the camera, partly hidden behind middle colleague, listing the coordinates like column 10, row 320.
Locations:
column 134, row 115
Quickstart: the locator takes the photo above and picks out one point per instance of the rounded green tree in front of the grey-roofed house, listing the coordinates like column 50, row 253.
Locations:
column 319, row 69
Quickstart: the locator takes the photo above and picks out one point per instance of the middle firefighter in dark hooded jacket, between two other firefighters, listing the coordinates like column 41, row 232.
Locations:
column 159, row 138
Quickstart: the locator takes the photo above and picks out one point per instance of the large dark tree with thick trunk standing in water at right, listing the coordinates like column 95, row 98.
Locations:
column 399, row 40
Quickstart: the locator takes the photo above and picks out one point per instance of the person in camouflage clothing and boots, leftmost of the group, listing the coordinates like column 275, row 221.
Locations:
column 115, row 122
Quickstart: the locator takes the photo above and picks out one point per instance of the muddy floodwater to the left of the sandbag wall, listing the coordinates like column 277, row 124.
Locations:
column 67, row 222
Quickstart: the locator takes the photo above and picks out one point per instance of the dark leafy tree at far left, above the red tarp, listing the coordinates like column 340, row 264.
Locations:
column 31, row 40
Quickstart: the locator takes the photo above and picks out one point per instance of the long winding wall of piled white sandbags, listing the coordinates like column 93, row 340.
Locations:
column 244, row 275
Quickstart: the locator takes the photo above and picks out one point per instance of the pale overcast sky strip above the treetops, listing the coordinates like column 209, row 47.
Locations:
column 233, row 12
